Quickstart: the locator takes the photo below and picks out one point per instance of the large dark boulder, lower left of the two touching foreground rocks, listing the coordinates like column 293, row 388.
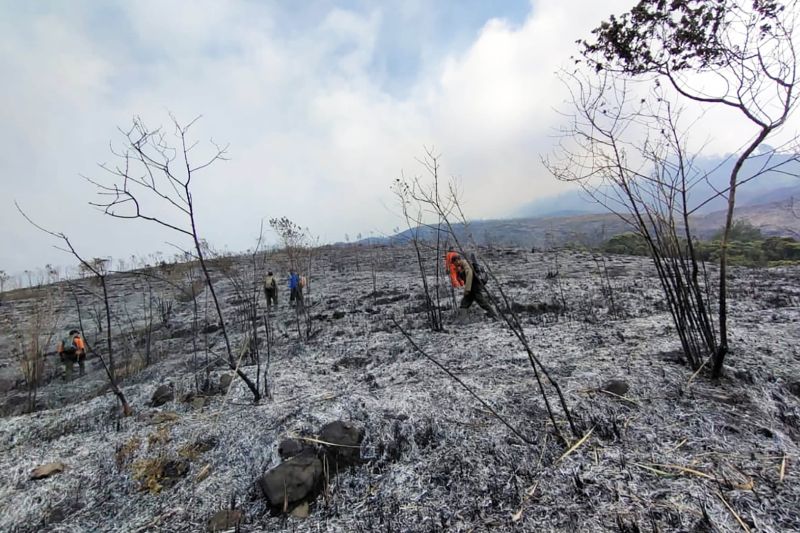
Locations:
column 296, row 480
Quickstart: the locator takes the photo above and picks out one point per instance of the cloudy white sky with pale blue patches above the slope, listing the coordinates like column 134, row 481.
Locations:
column 323, row 105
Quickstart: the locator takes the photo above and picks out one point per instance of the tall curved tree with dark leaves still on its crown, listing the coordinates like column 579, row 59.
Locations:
column 734, row 55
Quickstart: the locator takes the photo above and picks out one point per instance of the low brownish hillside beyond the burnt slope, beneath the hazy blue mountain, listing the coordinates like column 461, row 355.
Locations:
column 774, row 218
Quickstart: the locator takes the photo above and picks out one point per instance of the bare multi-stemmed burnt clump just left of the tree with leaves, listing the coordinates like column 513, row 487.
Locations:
column 645, row 179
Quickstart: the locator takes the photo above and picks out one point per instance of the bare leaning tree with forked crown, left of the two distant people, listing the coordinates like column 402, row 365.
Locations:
column 154, row 169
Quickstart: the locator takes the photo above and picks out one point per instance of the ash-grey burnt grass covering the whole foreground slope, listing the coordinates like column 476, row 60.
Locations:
column 678, row 453
